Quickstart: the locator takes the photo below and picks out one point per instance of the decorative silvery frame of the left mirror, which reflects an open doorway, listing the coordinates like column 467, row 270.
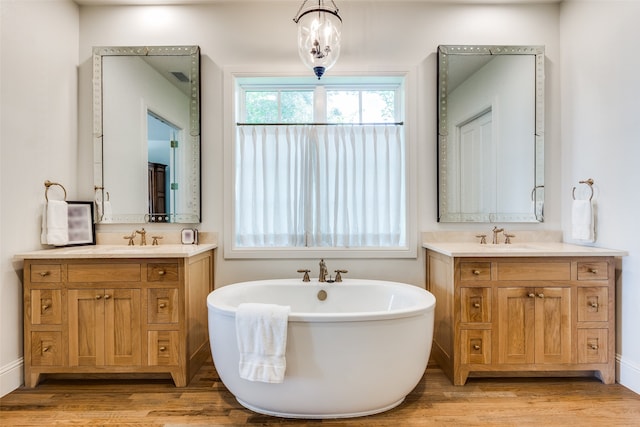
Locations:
column 193, row 52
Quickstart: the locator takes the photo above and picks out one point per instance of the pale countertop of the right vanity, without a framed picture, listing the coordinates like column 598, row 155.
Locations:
column 522, row 249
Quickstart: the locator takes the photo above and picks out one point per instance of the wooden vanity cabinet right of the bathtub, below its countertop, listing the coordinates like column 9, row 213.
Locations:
column 499, row 316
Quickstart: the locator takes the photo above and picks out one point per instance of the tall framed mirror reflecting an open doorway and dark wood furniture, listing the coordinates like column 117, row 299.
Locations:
column 147, row 134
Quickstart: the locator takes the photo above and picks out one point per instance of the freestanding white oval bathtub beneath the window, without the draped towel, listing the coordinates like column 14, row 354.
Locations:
column 358, row 352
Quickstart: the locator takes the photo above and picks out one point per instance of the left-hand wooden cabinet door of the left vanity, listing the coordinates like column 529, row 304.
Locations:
column 86, row 327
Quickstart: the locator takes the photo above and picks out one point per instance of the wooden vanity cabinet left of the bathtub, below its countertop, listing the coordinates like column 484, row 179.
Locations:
column 116, row 316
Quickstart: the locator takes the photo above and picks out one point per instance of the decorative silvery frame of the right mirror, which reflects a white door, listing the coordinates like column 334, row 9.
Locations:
column 537, row 192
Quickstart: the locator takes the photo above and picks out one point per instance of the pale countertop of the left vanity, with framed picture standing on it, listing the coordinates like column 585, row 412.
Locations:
column 119, row 251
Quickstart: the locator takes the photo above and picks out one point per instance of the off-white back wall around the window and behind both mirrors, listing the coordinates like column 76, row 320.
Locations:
column 376, row 36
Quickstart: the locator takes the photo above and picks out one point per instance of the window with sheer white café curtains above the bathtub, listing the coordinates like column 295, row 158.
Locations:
column 320, row 166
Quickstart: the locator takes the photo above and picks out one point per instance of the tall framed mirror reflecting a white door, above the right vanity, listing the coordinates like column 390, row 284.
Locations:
column 490, row 133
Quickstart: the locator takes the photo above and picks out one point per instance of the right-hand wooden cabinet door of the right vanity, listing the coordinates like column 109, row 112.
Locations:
column 553, row 325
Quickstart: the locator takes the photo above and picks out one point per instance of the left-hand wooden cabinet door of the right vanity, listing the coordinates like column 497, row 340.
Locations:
column 516, row 325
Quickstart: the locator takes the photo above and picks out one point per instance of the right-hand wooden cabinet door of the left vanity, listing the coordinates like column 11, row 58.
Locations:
column 122, row 327
